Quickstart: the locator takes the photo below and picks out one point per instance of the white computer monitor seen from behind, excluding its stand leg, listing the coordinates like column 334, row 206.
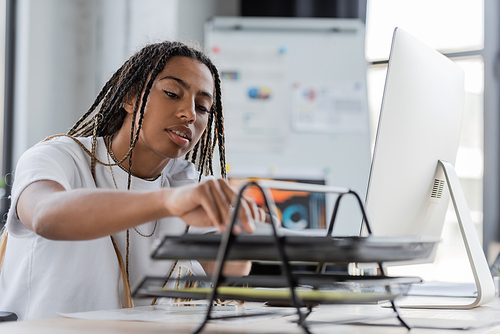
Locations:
column 420, row 122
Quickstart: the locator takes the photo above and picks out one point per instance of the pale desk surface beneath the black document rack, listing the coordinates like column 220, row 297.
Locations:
column 484, row 314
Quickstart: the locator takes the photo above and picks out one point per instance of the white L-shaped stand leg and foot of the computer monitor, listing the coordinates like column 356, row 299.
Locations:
column 482, row 276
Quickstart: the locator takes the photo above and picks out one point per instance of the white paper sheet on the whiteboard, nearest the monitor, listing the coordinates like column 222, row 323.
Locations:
column 330, row 108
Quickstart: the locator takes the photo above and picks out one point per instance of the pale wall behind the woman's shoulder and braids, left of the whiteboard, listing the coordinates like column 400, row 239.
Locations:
column 67, row 50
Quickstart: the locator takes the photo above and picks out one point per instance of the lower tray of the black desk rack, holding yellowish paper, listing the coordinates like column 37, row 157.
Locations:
column 329, row 288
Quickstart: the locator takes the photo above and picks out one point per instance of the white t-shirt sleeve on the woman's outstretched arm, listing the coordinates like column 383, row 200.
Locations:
column 42, row 162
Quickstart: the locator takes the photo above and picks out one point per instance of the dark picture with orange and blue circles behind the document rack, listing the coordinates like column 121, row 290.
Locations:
column 297, row 210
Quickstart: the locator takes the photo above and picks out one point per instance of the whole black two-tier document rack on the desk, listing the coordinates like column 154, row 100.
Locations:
column 297, row 289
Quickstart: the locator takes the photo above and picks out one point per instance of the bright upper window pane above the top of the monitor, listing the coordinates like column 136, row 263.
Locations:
column 438, row 23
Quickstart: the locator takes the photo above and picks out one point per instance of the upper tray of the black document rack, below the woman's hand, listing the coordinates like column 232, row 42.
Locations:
column 323, row 249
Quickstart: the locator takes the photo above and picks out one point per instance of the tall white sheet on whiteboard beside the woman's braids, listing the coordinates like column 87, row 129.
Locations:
column 254, row 81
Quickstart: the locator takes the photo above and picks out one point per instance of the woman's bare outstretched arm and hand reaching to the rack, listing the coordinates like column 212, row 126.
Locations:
column 49, row 210
